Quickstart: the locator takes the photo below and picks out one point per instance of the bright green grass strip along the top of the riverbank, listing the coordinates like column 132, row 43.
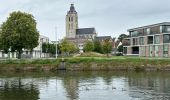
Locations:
column 115, row 59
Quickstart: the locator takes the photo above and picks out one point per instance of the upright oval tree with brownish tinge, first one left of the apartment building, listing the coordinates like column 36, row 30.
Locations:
column 107, row 47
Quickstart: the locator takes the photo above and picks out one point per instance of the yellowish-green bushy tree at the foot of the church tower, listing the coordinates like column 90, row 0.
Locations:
column 67, row 47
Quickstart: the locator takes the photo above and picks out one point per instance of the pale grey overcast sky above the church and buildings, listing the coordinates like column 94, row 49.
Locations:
column 109, row 17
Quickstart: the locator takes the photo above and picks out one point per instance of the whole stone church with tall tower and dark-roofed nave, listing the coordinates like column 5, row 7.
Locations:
column 75, row 34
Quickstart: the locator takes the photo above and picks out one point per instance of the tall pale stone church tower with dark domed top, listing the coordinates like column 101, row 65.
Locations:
column 71, row 22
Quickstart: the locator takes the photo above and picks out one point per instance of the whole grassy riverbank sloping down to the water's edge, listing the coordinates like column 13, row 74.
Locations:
column 88, row 64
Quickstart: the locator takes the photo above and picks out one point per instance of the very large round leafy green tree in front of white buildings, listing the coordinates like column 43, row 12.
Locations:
column 19, row 32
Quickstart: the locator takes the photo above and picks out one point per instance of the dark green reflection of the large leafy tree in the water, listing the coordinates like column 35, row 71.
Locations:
column 15, row 90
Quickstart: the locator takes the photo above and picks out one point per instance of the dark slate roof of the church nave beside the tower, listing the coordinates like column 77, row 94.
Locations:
column 85, row 31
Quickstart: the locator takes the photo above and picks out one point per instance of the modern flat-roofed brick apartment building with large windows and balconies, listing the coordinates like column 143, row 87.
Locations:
column 148, row 41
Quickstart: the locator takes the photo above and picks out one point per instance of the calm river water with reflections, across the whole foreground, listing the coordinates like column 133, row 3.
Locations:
column 85, row 86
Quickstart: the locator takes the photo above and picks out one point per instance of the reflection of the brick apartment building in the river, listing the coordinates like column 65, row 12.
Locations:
column 155, row 86
